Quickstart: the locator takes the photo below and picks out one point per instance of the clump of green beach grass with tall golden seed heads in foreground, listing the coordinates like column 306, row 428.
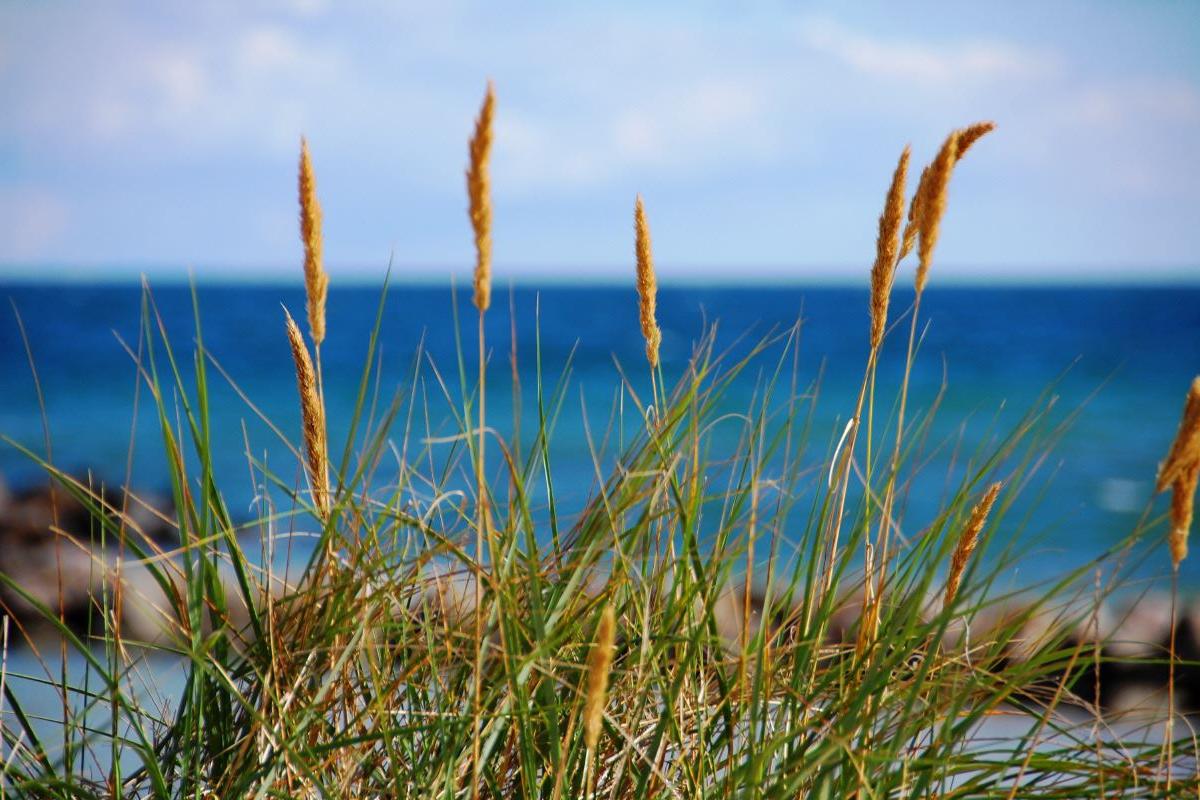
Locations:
column 757, row 622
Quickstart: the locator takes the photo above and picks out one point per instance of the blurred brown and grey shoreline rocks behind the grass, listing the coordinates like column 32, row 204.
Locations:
column 51, row 556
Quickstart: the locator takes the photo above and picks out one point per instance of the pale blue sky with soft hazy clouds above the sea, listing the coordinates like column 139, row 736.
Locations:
column 163, row 136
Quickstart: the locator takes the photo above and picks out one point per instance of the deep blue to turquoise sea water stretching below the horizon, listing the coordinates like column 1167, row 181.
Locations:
column 1121, row 358
